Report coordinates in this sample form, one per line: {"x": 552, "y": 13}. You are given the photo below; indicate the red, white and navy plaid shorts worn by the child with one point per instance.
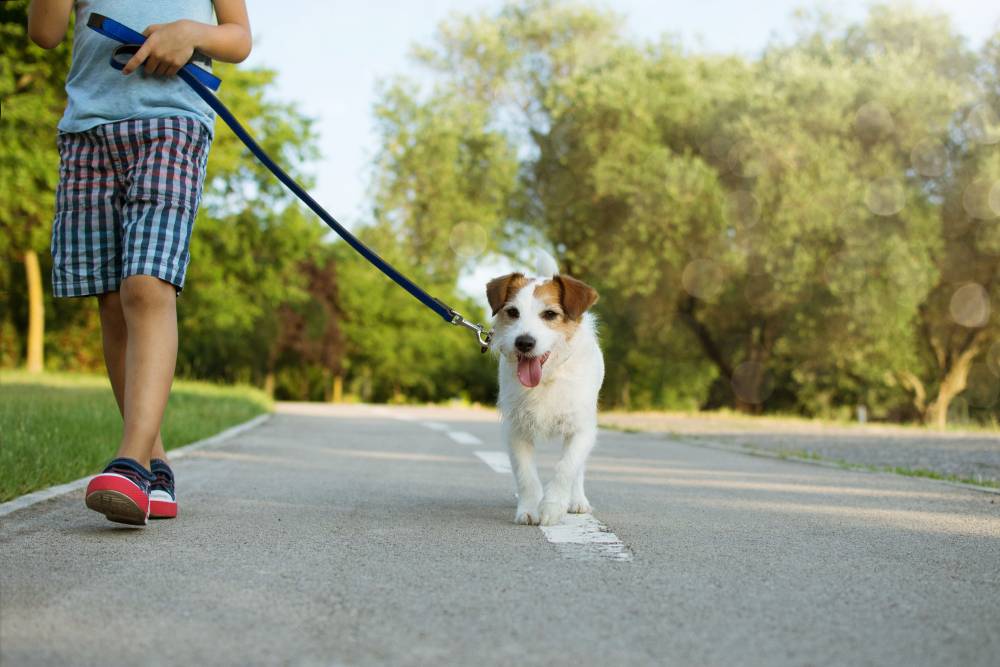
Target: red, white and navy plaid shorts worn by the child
{"x": 127, "y": 198}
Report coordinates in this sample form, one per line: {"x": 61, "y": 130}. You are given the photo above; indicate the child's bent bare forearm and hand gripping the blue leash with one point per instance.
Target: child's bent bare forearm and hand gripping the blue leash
{"x": 169, "y": 46}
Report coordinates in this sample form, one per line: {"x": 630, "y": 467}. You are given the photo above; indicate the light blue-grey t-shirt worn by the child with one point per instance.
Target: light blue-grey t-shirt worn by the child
{"x": 100, "y": 94}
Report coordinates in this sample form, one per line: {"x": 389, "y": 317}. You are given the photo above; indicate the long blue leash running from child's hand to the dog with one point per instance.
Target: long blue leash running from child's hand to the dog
{"x": 203, "y": 83}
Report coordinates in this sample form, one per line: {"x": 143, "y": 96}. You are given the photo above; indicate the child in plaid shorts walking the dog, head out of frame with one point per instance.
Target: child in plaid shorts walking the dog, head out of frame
{"x": 133, "y": 147}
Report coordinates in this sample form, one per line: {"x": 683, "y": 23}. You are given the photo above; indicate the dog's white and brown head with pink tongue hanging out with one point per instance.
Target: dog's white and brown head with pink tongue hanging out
{"x": 535, "y": 318}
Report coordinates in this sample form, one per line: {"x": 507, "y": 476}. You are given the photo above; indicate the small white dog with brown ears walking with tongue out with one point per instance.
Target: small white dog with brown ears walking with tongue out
{"x": 550, "y": 373}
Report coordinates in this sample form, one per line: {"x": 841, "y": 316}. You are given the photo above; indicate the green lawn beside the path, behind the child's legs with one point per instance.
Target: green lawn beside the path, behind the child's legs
{"x": 55, "y": 428}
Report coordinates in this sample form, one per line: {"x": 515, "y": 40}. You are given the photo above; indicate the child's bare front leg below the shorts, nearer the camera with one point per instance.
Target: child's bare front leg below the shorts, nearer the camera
{"x": 149, "y": 309}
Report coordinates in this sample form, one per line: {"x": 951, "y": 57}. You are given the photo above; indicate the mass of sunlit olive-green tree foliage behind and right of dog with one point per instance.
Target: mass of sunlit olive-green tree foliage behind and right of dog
{"x": 795, "y": 227}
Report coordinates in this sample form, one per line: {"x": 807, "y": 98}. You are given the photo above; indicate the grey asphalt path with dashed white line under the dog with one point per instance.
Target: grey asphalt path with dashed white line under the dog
{"x": 371, "y": 536}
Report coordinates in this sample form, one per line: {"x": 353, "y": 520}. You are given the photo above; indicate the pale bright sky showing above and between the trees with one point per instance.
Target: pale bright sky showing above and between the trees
{"x": 330, "y": 54}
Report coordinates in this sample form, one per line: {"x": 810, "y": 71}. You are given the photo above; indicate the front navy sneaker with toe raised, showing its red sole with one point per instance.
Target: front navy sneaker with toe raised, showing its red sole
{"x": 121, "y": 492}
